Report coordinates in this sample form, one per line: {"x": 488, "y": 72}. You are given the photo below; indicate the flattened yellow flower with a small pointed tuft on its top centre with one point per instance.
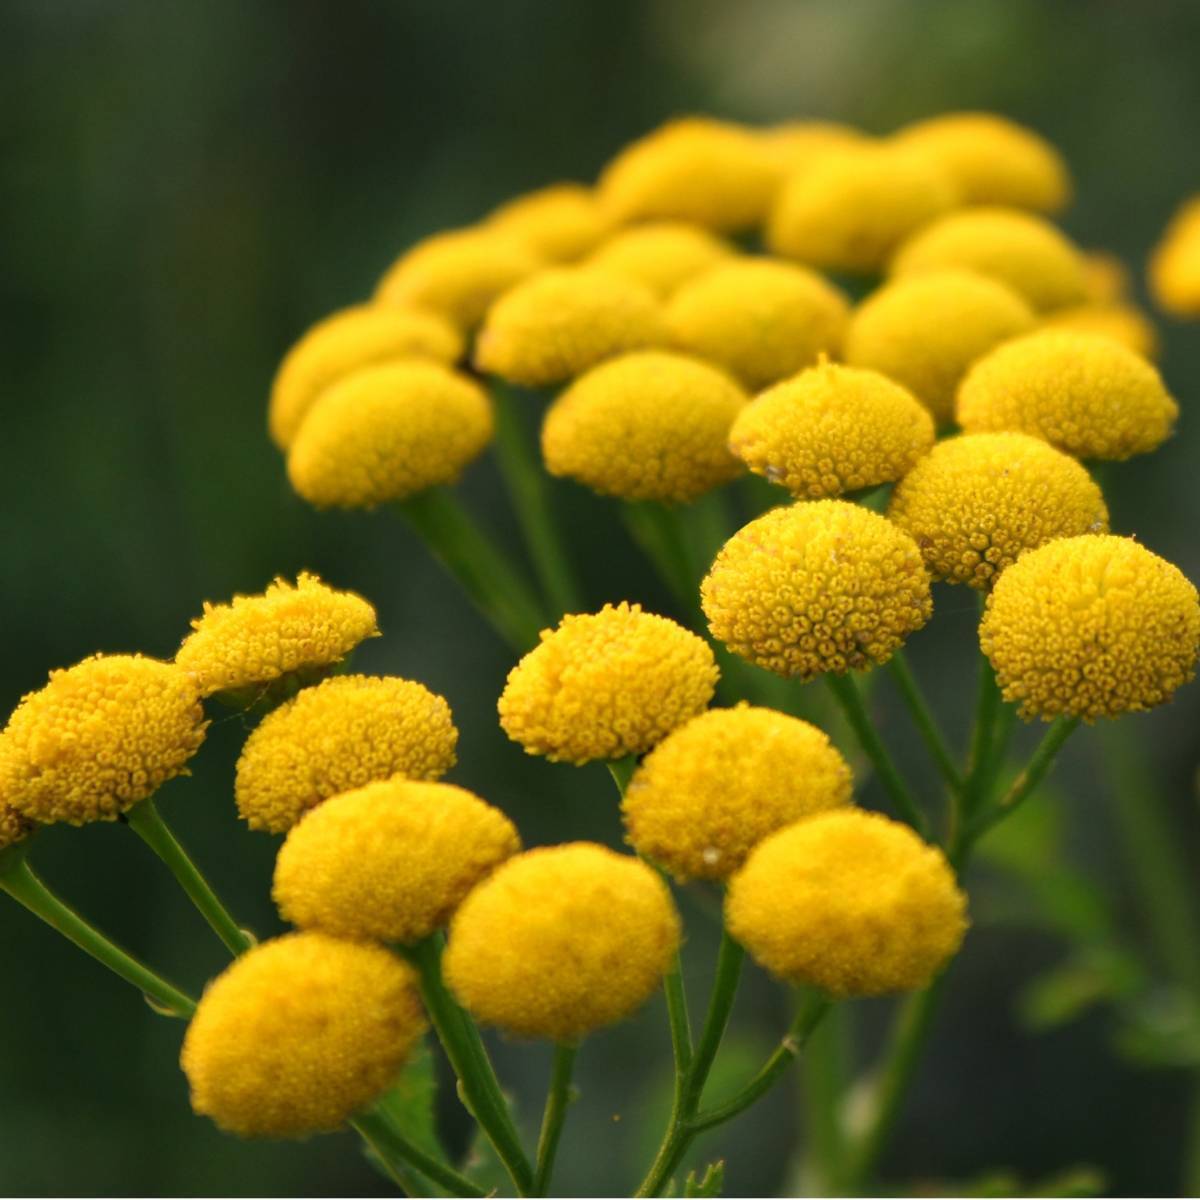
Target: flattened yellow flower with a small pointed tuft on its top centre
{"x": 832, "y": 430}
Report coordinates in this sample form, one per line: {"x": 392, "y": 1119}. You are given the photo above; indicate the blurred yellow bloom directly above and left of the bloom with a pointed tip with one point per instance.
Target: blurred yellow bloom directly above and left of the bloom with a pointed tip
{"x": 760, "y": 320}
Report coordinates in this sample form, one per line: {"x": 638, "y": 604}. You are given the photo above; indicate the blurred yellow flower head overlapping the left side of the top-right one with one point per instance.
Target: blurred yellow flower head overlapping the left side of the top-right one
{"x": 853, "y": 208}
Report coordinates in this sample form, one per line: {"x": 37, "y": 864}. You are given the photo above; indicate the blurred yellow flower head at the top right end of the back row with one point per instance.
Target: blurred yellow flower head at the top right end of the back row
{"x": 993, "y": 160}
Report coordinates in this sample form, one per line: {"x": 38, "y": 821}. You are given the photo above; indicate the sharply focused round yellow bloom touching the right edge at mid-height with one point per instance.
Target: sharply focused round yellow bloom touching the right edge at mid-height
{"x": 1091, "y": 627}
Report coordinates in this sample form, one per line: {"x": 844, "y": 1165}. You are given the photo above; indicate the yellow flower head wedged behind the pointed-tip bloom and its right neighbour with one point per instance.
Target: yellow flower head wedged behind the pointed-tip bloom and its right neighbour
{"x": 926, "y": 331}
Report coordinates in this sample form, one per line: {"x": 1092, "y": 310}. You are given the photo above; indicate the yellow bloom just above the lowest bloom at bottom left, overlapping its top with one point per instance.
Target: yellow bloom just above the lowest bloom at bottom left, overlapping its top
{"x": 389, "y": 862}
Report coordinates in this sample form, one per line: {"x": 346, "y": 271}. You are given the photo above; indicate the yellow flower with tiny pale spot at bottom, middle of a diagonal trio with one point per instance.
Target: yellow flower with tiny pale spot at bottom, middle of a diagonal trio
{"x": 712, "y": 790}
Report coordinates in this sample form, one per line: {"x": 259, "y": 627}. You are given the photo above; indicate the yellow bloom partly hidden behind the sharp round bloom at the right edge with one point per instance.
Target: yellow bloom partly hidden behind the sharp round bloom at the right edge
{"x": 980, "y": 501}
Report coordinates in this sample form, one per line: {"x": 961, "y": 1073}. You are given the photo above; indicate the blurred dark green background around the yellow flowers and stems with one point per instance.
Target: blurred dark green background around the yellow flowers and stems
{"x": 185, "y": 189}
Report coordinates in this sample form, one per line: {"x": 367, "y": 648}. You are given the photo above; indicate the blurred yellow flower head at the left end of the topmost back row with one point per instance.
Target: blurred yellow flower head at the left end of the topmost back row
{"x": 713, "y": 173}
